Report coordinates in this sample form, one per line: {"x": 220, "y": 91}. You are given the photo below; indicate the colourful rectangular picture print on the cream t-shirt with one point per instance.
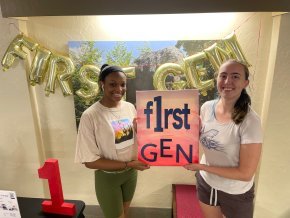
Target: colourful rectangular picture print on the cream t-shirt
{"x": 123, "y": 133}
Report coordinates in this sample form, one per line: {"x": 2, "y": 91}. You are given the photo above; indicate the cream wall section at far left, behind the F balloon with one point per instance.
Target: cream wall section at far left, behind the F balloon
{"x": 19, "y": 152}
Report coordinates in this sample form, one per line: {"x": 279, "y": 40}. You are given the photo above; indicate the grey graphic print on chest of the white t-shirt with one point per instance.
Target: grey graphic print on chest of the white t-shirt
{"x": 208, "y": 141}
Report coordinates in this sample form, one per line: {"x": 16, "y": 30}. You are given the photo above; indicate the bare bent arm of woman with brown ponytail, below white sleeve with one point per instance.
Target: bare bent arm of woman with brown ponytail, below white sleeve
{"x": 249, "y": 159}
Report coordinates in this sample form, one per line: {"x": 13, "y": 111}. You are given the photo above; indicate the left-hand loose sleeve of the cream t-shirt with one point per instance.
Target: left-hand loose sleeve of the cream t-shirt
{"x": 86, "y": 147}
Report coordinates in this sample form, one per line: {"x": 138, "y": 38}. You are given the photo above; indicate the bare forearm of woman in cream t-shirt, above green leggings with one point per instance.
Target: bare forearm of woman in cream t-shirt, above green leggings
{"x": 114, "y": 165}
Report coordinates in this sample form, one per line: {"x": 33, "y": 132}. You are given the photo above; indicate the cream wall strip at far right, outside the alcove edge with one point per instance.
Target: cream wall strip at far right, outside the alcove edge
{"x": 274, "y": 186}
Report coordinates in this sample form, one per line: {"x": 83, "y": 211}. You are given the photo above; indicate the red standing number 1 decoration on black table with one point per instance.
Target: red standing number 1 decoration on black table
{"x": 50, "y": 171}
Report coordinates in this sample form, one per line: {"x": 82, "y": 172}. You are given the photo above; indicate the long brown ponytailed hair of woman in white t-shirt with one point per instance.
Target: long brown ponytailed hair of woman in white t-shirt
{"x": 242, "y": 105}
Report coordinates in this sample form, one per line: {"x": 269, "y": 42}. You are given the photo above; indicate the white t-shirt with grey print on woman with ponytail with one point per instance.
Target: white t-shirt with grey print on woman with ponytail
{"x": 221, "y": 144}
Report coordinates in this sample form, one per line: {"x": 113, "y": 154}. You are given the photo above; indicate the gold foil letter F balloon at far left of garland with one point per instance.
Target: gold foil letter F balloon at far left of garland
{"x": 15, "y": 50}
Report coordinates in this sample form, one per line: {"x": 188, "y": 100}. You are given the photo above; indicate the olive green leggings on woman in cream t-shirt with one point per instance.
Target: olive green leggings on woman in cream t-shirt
{"x": 113, "y": 189}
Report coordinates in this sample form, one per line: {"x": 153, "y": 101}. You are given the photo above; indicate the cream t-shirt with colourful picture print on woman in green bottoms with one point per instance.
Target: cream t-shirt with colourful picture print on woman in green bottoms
{"x": 106, "y": 133}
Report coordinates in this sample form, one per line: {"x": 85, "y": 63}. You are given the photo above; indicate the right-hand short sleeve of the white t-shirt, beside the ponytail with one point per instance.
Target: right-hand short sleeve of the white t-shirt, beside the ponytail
{"x": 251, "y": 129}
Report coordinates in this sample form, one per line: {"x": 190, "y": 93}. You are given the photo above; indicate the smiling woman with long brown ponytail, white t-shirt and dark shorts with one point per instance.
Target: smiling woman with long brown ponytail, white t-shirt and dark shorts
{"x": 231, "y": 137}
